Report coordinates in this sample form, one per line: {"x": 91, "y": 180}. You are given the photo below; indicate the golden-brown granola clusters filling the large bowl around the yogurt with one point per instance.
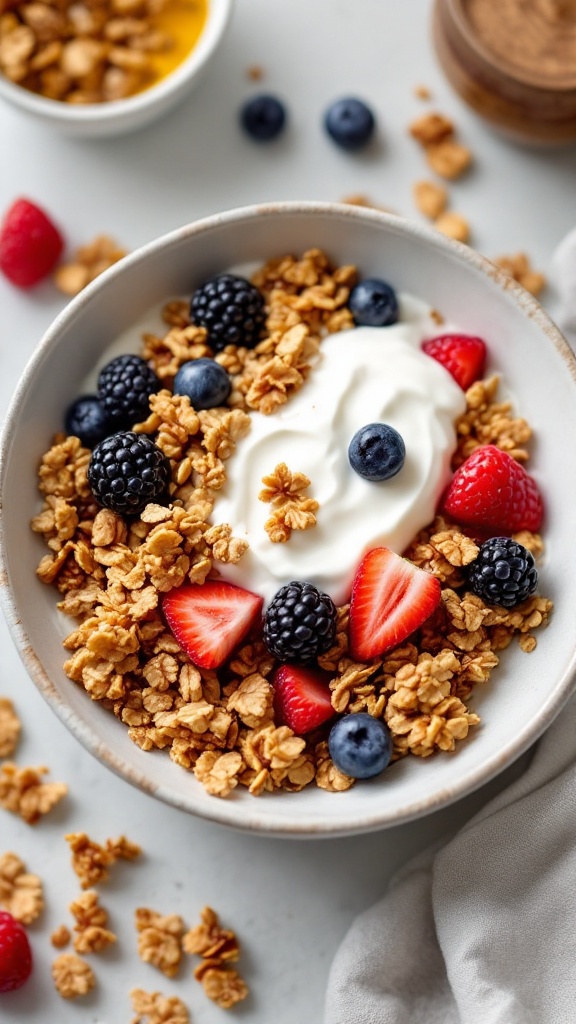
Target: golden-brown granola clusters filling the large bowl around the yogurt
{"x": 111, "y": 573}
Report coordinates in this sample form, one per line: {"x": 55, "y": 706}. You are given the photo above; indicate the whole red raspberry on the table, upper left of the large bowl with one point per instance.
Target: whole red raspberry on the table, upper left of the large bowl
{"x": 30, "y": 244}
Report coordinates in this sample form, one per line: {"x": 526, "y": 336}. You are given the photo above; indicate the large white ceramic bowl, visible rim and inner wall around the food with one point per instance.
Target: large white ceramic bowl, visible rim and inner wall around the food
{"x": 527, "y": 691}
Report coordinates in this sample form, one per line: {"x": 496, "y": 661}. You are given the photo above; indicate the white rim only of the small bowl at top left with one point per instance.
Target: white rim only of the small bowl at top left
{"x": 218, "y": 19}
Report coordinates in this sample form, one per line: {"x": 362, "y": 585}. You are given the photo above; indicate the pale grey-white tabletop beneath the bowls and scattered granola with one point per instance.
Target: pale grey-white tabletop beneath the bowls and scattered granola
{"x": 290, "y": 902}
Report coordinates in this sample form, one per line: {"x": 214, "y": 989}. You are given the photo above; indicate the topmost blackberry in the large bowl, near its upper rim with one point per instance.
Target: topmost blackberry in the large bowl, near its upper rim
{"x": 231, "y": 310}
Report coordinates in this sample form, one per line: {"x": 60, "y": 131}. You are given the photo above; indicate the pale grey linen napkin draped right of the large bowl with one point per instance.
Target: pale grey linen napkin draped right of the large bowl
{"x": 482, "y": 928}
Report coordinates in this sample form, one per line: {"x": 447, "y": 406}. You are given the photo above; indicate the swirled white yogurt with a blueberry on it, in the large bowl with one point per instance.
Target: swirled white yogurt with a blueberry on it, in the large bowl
{"x": 362, "y": 376}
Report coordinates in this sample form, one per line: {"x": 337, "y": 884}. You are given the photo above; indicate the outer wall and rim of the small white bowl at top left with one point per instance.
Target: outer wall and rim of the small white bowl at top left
{"x": 92, "y": 120}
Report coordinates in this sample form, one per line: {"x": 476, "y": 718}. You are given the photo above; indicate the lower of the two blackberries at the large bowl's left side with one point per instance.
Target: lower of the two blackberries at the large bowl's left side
{"x": 127, "y": 472}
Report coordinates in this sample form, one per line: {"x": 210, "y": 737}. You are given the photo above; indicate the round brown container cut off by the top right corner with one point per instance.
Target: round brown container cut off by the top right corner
{"x": 514, "y": 62}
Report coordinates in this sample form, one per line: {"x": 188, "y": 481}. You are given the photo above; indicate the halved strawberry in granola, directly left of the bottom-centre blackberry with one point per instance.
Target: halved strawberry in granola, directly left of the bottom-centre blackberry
{"x": 211, "y": 620}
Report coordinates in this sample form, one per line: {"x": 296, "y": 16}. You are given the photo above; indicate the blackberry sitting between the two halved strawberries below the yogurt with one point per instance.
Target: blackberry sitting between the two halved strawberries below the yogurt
{"x": 301, "y": 623}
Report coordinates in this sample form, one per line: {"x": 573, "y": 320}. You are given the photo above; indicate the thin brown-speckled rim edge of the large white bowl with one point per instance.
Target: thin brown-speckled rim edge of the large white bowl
{"x": 222, "y": 812}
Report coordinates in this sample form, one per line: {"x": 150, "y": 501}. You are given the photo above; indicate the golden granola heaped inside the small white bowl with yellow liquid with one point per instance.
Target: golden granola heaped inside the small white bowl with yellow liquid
{"x": 85, "y": 53}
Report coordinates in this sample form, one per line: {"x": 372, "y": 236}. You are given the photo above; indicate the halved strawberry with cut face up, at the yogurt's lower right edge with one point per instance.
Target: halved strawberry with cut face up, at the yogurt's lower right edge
{"x": 391, "y": 599}
